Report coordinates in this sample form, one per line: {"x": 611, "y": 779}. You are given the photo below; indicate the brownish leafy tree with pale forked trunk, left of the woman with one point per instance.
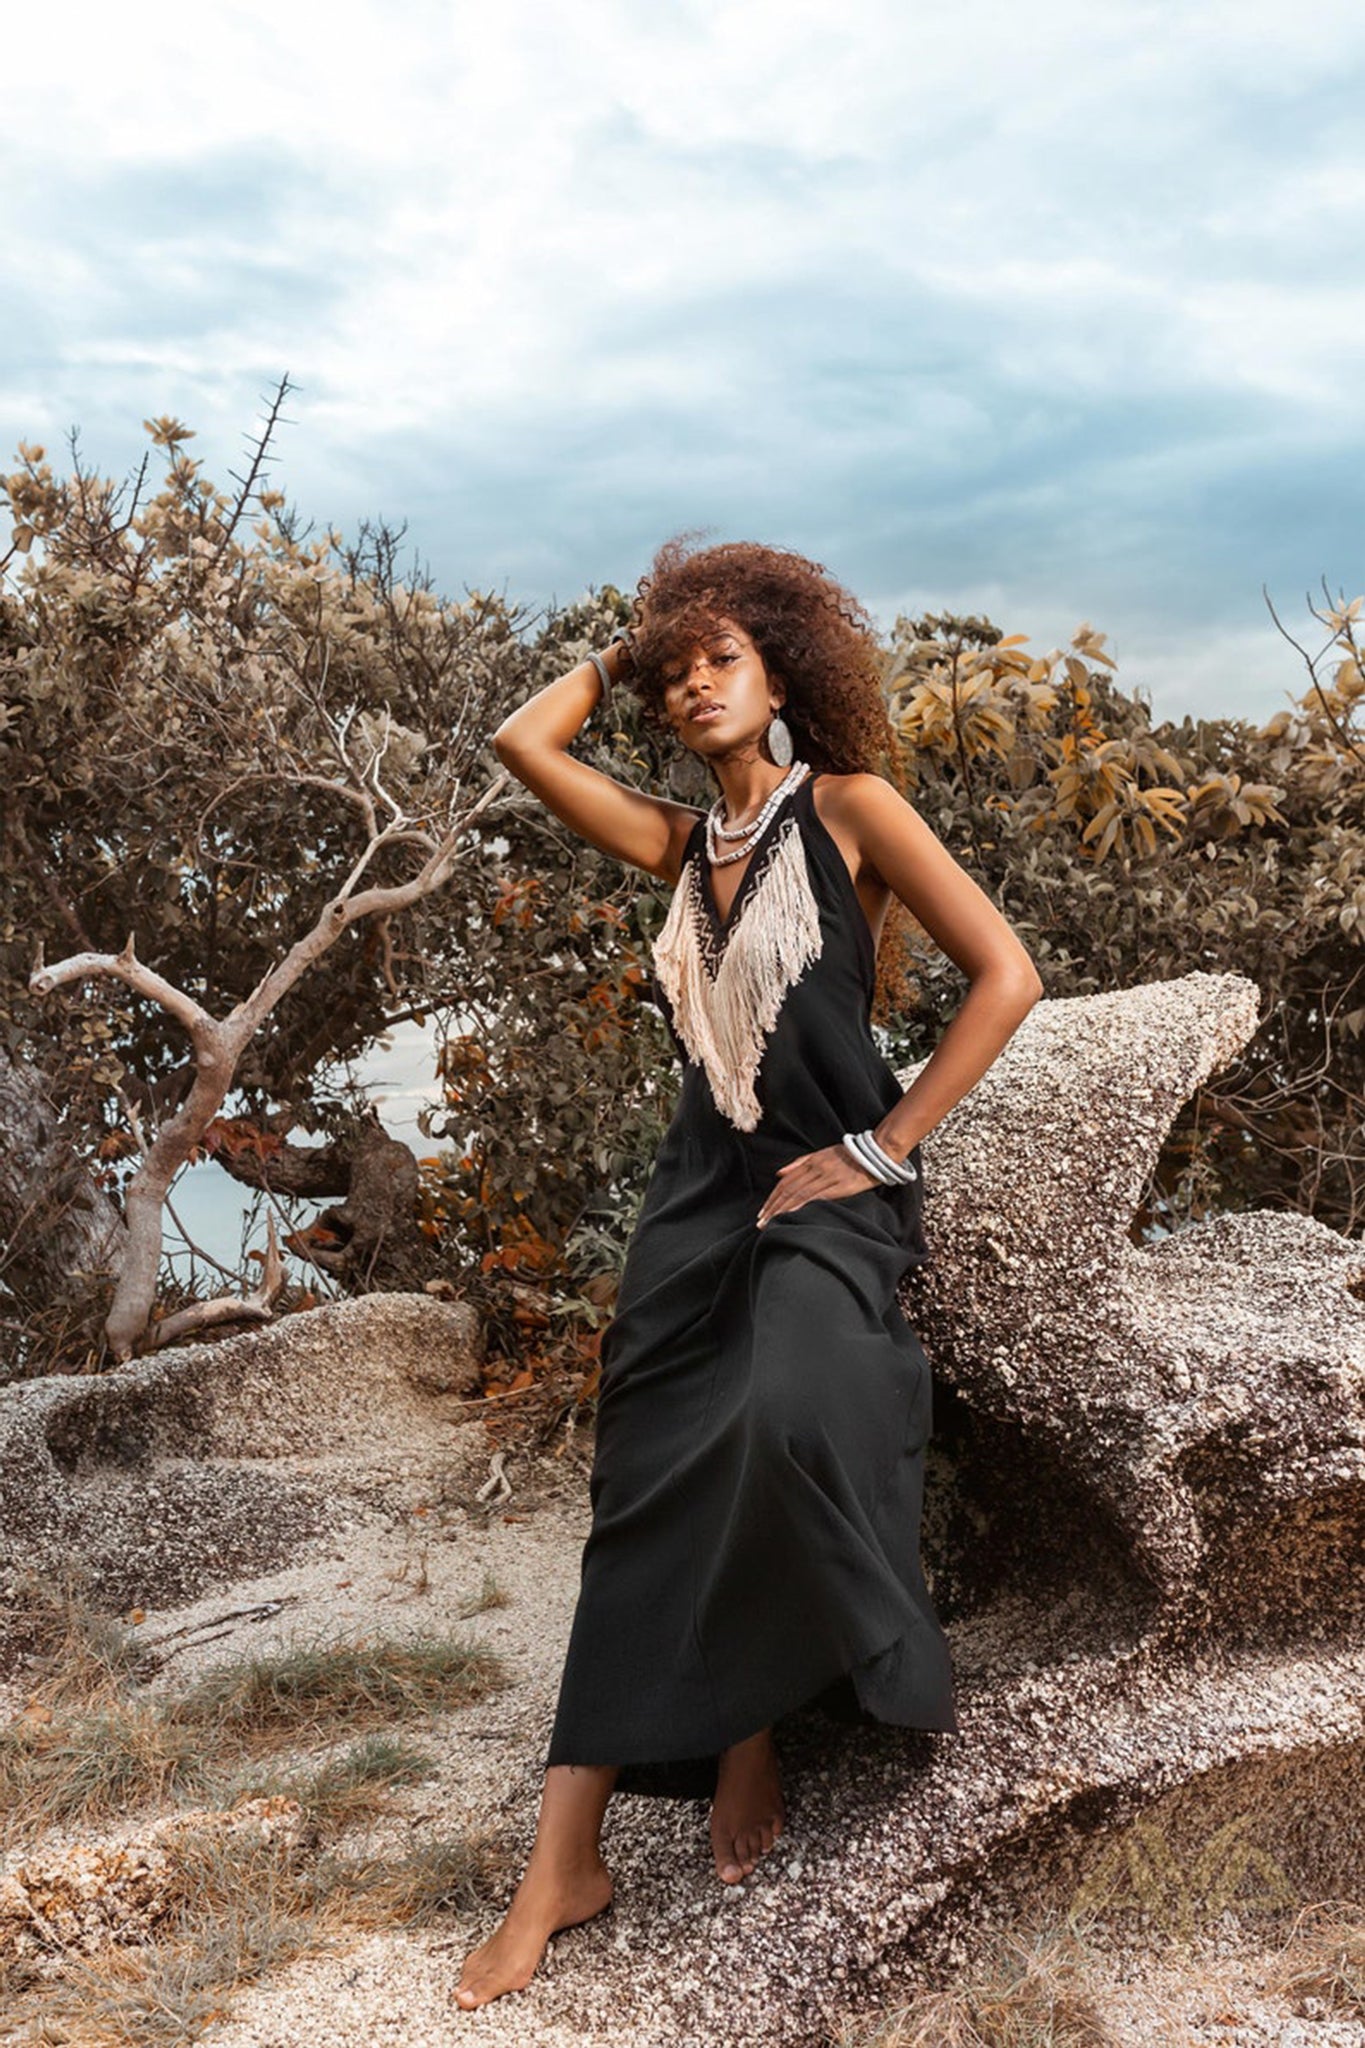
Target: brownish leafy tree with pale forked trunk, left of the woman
{"x": 230, "y": 753}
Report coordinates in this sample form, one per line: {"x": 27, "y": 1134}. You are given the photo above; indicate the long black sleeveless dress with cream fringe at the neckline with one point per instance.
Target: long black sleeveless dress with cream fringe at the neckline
{"x": 764, "y": 1404}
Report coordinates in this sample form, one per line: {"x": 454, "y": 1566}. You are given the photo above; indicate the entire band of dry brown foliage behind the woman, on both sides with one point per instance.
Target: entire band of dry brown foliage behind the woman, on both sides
{"x": 214, "y": 724}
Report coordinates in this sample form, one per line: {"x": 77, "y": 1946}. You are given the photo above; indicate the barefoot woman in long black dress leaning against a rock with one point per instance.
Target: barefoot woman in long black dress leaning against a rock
{"x": 764, "y": 1404}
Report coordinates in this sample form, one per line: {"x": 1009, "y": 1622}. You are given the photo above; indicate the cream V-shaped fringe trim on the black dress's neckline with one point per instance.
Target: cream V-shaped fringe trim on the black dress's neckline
{"x": 728, "y": 1019}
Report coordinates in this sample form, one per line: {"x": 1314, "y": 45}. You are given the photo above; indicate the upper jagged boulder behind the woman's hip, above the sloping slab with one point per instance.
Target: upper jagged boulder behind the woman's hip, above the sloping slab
{"x": 1182, "y": 1418}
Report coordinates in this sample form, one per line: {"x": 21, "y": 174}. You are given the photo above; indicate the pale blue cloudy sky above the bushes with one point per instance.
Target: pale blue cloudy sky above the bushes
{"x": 1051, "y": 312}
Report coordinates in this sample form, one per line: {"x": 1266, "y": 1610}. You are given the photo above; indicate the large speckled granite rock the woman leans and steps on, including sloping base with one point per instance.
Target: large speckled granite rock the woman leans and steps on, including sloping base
{"x": 1147, "y": 1525}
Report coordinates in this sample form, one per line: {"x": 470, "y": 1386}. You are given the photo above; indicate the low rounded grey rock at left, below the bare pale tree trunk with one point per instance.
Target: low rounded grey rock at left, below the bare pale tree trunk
{"x": 195, "y": 1467}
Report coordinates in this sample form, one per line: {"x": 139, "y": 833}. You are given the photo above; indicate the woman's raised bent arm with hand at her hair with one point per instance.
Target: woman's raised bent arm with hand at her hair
{"x": 533, "y": 742}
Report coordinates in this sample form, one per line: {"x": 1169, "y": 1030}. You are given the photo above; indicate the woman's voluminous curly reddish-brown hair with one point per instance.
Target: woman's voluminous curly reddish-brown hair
{"x": 809, "y": 630}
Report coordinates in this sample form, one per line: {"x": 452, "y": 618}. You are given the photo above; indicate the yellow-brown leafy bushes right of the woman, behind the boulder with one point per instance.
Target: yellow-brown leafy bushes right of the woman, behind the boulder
{"x": 1131, "y": 853}
